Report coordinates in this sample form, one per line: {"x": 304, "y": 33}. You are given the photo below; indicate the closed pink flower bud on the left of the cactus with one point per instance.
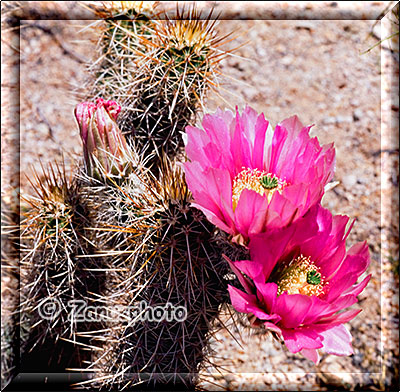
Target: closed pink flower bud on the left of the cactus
{"x": 103, "y": 143}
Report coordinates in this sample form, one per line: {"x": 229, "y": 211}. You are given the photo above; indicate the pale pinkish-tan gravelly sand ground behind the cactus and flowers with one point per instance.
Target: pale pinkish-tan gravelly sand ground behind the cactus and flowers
{"x": 312, "y": 68}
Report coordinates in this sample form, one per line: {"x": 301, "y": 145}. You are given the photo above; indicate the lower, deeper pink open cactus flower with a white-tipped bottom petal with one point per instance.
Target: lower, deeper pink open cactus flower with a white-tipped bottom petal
{"x": 299, "y": 281}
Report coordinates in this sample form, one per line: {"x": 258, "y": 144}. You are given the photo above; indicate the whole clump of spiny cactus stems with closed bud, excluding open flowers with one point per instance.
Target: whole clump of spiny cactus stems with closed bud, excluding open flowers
{"x": 122, "y": 230}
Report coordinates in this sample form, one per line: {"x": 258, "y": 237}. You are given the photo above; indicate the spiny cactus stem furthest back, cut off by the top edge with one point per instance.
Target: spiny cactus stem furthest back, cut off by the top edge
{"x": 123, "y": 26}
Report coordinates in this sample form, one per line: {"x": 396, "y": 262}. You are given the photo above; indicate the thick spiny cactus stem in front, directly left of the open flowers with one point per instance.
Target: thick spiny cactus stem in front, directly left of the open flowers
{"x": 166, "y": 252}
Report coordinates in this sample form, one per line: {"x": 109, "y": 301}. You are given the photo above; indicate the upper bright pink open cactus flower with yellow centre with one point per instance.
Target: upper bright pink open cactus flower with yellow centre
{"x": 248, "y": 178}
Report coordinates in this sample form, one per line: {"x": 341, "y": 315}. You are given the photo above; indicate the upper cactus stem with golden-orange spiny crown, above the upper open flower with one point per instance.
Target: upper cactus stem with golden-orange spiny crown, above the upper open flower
{"x": 176, "y": 75}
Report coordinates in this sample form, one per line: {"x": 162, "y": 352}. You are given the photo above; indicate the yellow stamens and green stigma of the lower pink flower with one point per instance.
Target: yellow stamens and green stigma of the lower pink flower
{"x": 301, "y": 276}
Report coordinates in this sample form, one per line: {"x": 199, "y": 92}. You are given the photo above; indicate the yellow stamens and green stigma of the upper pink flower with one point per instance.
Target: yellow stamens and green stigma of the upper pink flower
{"x": 256, "y": 180}
